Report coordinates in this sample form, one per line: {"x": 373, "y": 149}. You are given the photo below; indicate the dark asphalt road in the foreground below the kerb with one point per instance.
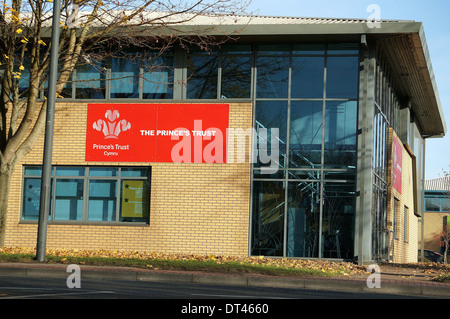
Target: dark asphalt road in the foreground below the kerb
{"x": 12, "y": 287}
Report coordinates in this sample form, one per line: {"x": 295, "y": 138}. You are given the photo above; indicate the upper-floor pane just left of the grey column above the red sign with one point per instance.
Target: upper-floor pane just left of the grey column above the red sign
{"x": 158, "y": 78}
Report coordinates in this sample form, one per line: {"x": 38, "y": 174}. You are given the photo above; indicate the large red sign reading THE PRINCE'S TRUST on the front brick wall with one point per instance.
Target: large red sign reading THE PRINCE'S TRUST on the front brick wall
{"x": 178, "y": 133}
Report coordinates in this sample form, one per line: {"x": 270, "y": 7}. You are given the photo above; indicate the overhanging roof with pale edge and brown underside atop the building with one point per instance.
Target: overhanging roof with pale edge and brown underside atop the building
{"x": 401, "y": 42}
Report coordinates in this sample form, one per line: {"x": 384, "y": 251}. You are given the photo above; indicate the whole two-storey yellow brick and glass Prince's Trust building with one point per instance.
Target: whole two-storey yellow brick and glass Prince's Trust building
{"x": 337, "y": 112}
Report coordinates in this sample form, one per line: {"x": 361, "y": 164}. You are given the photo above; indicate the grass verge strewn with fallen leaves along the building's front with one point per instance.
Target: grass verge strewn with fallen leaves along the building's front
{"x": 234, "y": 265}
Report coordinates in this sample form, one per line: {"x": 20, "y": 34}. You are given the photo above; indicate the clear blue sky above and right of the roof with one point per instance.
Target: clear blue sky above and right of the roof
{"x": 433, "y": 14}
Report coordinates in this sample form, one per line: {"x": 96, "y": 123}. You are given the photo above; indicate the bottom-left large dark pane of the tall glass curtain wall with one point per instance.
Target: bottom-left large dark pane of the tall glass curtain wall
{"x": 268, "y": 218}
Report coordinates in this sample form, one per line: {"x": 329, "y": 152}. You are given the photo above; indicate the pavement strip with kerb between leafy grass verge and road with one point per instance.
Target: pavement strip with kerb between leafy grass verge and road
{"x": 391, "y": 280}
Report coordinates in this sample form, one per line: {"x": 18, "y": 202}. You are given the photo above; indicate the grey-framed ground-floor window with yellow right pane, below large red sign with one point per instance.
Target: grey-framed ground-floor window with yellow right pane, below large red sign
{"x": 90, "y": 194}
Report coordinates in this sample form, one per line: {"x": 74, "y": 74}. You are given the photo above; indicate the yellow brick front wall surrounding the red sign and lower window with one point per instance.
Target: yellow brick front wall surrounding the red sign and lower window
{"x": 195, "y": 208}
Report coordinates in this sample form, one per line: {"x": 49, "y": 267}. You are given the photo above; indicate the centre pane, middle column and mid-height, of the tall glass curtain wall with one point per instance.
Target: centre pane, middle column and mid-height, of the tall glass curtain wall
{"x": 305, "y": 135}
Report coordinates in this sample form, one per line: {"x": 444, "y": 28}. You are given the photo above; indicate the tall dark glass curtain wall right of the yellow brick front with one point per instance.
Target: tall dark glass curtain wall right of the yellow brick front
{"x": 309, "y": 94}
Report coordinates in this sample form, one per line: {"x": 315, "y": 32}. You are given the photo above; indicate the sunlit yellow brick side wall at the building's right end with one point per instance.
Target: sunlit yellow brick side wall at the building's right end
{"x": 403, "y": 252}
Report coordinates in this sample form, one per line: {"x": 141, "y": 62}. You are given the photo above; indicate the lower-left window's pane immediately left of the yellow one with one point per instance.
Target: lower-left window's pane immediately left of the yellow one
{"x": 102, "y": 200}
